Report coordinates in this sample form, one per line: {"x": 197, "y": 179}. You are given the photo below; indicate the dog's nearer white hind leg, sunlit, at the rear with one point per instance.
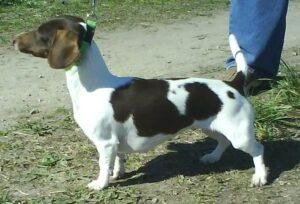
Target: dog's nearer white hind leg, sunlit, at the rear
{"x": 242, "y": 137}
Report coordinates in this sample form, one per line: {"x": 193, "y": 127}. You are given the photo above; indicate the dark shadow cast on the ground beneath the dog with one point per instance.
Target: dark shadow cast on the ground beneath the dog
{"x": 183, "y": 159}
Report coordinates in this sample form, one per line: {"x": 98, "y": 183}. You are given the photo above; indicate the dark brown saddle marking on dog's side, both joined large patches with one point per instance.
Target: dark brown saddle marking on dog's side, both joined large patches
{"x": 153, "y": 113}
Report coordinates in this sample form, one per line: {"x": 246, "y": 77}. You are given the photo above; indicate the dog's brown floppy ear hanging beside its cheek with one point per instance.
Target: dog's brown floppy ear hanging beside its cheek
{"x": 64, "y": 50}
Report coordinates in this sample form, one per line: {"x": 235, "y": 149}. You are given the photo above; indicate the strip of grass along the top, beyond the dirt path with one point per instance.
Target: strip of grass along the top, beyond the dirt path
{"x": 20, "y": 15}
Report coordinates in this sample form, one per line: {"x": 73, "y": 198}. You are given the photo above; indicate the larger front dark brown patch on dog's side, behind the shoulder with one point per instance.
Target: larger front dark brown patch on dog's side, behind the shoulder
{"x": 146, "y": 101}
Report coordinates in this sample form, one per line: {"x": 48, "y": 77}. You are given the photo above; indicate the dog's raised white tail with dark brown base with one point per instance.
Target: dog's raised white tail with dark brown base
{"x": 242, "y": 68}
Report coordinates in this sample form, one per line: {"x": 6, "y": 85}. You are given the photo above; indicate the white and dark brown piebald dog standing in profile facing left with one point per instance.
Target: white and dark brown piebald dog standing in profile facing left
{"x": 121, "y": 115}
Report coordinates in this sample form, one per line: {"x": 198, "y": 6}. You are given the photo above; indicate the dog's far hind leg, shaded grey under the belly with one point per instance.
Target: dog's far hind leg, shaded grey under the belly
{"x": 216, "y": 154}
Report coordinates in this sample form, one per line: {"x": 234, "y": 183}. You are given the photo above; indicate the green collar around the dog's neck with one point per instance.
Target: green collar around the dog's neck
{"x": 87, "y": 40}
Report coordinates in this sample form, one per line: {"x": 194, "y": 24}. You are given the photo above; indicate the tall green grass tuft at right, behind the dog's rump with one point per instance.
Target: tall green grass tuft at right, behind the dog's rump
{"x": 279, "y": 110}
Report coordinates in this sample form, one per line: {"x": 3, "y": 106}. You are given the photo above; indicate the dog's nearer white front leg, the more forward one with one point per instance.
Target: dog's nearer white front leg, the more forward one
{"x": 107, "y": 155}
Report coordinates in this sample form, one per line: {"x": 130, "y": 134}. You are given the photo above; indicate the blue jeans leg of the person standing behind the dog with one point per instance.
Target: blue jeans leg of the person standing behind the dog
{"x": 259, "y": 26}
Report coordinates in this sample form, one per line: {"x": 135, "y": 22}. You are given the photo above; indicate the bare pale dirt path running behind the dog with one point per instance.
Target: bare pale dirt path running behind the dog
{"x": 197, "y": 47}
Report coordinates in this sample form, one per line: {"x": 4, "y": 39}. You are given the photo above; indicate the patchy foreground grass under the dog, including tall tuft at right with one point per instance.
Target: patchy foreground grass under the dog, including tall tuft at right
{"x": 44, "y": 158}
